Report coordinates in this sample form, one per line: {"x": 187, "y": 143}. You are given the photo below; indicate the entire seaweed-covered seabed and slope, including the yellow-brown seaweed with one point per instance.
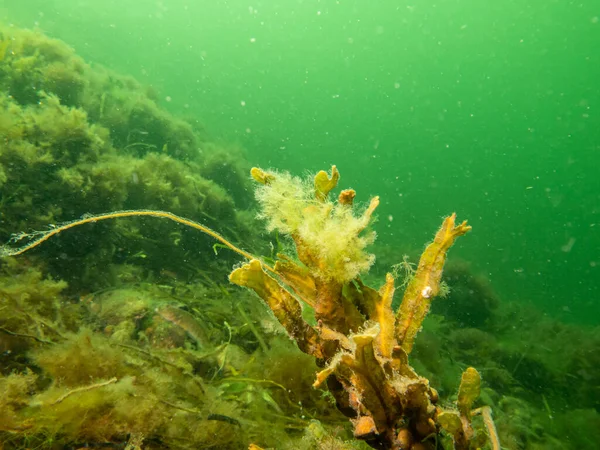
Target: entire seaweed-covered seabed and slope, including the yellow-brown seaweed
{"x": 126, "y": 334}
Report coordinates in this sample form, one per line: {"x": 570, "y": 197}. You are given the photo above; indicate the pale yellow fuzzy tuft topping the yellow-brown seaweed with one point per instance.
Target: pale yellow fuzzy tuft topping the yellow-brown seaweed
{"x": 331, "y": 234}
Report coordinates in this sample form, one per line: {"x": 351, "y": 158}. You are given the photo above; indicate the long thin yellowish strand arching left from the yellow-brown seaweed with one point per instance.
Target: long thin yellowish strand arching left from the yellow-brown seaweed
{"x": 45, "y": 235}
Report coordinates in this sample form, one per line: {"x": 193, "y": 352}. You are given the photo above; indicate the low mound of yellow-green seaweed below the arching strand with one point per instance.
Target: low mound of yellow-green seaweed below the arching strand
{"x": 148, "y": 366}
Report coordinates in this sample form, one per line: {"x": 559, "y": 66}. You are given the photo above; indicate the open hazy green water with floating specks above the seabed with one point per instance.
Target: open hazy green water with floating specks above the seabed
{"x": 489, "y": 109}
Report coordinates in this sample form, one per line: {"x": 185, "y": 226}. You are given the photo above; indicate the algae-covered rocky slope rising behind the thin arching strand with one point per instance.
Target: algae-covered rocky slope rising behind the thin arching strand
{"x": 78, "y": 139}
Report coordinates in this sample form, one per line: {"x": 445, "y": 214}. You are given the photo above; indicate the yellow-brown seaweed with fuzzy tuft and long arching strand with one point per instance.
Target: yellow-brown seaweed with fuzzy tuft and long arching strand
{"x": 361, "y": 345}
